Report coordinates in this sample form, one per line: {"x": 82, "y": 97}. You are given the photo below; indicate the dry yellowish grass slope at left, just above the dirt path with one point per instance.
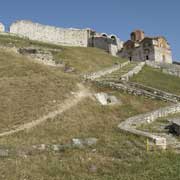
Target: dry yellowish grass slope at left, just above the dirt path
{"x": 27, "y": 89}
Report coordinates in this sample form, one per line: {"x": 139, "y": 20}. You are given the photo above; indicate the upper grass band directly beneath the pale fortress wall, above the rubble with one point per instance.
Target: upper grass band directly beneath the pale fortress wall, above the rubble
{"x": 82, "y": 59}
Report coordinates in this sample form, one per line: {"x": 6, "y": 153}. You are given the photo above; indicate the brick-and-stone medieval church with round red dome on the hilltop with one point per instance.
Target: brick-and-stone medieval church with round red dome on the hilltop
{"x": 144, "y": 48}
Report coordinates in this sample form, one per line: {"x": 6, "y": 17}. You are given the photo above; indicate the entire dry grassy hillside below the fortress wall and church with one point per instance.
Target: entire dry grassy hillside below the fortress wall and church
{"x": 30, "y": 91}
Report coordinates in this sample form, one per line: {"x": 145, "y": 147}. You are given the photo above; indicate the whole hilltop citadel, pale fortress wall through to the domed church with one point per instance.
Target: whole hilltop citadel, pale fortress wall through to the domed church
{"x": 139, "y": 48}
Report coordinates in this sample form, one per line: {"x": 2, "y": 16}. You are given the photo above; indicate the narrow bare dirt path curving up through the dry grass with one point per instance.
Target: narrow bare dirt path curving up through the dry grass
{"x": 67, "y": 104}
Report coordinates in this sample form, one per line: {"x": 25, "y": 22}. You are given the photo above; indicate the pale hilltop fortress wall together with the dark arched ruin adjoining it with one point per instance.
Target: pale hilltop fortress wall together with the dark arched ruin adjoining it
{"x": 67, "y": 36}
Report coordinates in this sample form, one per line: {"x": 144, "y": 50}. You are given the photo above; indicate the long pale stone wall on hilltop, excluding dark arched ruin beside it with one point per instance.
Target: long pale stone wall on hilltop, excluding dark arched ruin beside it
{"x": 50, "y": 34}
